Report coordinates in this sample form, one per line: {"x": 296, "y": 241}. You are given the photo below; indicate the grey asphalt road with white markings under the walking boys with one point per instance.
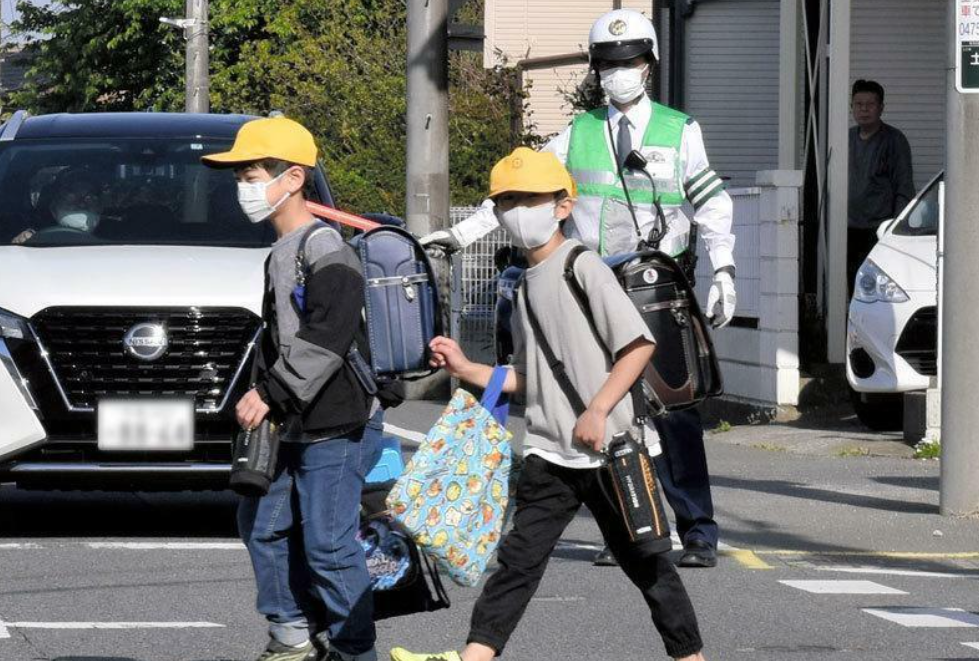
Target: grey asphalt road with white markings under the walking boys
{"x": 79, "y": 571}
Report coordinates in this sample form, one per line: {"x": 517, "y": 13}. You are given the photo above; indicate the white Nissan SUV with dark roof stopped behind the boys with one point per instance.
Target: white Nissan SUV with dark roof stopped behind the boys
{"x": 130, "y": 300}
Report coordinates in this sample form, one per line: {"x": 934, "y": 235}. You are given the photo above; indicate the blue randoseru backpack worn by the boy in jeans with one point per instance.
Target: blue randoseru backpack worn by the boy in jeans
{"x": 401, "y": 309}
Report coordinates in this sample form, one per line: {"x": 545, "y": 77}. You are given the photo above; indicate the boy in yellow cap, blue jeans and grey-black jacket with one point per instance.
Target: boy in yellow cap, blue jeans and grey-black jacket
{"x": 301, "y": 534}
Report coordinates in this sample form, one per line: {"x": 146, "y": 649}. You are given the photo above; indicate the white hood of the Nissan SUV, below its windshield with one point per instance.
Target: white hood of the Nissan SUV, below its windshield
{"x": 32, "y": 279}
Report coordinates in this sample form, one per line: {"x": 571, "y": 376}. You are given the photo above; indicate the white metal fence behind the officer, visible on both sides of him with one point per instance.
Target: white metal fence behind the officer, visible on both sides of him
{"x": 474, "y": 276}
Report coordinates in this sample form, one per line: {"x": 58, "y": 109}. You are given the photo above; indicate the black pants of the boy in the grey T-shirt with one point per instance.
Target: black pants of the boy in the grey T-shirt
{"x": 548, "y": 497}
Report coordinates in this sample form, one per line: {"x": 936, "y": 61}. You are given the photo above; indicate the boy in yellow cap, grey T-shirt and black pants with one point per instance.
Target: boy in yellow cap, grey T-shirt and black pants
{"x": 533, "y": 194}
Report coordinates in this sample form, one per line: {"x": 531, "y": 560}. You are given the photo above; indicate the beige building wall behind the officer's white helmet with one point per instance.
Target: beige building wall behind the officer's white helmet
{"x": 522, "y": 29}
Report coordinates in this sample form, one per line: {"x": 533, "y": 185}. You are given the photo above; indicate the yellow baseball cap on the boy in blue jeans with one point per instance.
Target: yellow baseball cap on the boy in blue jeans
{"x": 272, "y": 137}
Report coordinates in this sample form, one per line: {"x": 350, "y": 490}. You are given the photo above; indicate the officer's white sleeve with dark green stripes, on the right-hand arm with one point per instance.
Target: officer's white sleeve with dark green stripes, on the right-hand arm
{"x": 713, "y": 208}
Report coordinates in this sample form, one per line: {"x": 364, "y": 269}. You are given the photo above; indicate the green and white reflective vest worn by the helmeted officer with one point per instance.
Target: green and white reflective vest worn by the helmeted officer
{"x": 592, "y": 167}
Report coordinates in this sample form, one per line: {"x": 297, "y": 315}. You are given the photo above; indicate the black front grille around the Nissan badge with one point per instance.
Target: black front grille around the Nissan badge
{"x": 207, "y": 347}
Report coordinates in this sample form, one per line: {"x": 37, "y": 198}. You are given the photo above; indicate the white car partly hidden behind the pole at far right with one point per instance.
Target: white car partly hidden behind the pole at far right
{"x": 892, "y": 329}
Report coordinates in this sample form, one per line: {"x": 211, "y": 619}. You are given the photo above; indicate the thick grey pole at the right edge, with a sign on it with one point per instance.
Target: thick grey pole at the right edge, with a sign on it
{"x": 960, "y": 350}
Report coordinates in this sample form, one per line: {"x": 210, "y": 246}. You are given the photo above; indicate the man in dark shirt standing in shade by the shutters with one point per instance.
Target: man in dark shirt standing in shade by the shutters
{"x": 881, "y": 181}
